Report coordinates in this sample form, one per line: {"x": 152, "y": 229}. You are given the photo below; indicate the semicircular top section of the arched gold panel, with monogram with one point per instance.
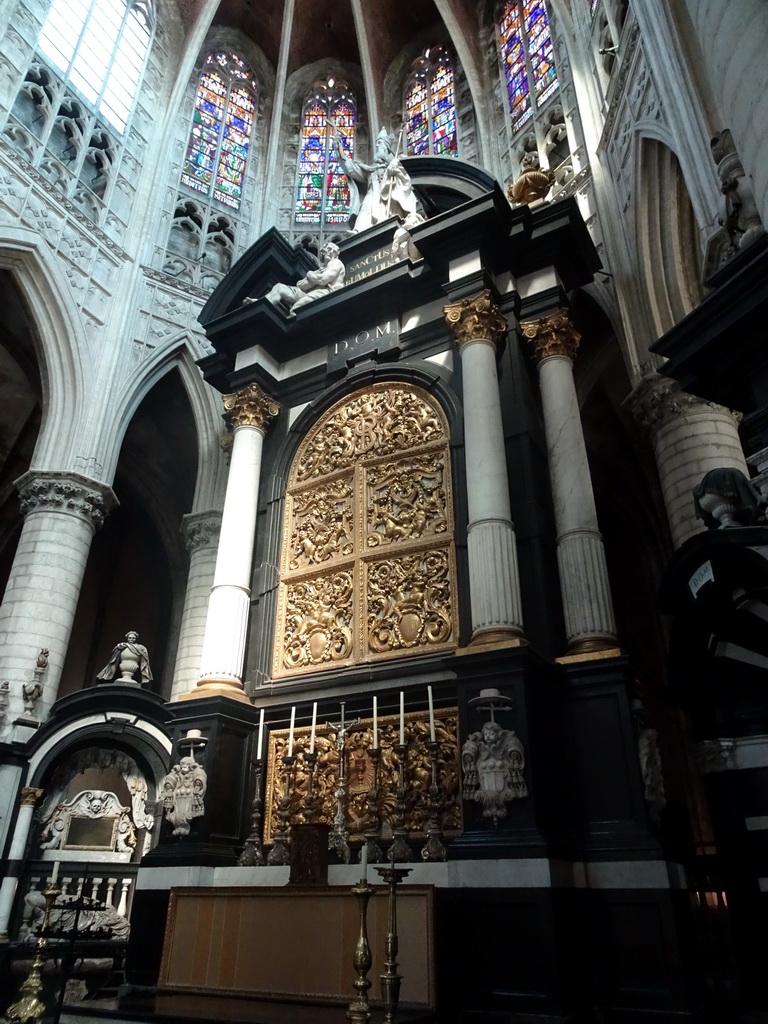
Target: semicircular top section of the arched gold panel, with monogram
{"x": 379, "y": 421}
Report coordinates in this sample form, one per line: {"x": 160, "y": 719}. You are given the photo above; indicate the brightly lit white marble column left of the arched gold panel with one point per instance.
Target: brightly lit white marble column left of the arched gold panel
{"x": 227, "y": 623}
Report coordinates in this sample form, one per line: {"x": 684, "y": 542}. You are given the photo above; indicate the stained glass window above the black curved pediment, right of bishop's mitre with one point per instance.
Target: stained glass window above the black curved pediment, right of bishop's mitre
{"x": 431, "y": 107}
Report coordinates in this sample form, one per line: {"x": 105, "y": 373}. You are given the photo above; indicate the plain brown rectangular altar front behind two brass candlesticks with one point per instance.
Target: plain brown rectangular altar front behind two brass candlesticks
{"x": 293, "y": 946}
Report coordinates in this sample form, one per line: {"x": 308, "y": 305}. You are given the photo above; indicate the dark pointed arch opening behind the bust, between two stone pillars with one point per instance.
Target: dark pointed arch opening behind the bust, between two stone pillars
{"x": 136, "y": 576}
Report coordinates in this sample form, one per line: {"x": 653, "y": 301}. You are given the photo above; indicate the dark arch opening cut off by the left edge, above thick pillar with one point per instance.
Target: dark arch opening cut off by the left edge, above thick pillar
{"x": 21, "y": 412}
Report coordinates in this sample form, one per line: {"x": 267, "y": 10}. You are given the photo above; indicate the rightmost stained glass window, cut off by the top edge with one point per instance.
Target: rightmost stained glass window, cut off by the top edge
{"x": 530, "y": 71}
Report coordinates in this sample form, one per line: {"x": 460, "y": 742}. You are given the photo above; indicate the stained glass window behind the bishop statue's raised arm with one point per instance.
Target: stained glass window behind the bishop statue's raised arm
{"x": 323, "y": 194}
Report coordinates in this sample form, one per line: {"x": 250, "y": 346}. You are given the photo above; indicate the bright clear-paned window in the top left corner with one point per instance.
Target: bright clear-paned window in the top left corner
{"x": 100, "y": 47}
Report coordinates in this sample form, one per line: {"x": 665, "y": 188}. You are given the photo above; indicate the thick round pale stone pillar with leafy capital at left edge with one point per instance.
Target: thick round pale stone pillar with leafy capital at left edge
{"x": 63, "y": 511}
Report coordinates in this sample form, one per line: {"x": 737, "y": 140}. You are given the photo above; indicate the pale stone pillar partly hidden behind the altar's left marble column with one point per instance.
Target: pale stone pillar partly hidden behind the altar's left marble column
{"x": 201, "y": 533}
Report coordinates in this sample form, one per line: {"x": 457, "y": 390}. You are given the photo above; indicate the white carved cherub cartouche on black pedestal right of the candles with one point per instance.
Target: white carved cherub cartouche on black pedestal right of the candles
{"x": 494, "y": 762}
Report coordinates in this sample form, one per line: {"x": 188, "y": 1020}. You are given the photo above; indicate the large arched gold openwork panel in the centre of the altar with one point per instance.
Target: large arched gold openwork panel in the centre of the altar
{"x": 368, "y": 567}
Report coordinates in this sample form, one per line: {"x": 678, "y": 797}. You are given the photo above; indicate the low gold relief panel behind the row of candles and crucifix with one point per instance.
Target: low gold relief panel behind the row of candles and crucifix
{"x": 360, "y": 775}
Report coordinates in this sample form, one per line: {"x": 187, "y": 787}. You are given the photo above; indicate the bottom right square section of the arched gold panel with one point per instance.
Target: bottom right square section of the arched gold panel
{"x": 410, "y": 602}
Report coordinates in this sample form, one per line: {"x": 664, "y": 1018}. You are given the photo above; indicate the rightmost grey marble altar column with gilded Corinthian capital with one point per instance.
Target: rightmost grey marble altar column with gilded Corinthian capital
{"x": 588, "y": 609}
